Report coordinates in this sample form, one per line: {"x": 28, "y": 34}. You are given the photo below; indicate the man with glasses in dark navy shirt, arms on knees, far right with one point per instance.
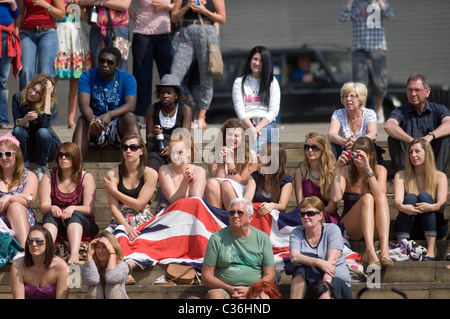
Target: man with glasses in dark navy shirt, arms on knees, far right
{"x": 419, "y": 119}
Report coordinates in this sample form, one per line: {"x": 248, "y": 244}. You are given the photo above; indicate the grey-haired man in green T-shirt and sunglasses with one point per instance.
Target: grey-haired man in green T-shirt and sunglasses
{"x": 238, "y": 255}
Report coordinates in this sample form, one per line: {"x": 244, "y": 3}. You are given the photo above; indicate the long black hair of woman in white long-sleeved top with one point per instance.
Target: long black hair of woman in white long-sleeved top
{"x": 266, "y": 75}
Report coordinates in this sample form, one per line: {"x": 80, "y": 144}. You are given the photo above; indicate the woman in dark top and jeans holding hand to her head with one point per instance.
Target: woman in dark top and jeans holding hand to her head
{"x": 32, "y": 112}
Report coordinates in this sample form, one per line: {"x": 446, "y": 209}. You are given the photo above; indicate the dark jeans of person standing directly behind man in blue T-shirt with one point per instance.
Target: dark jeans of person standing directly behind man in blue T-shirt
{"x": 95, "y": 43}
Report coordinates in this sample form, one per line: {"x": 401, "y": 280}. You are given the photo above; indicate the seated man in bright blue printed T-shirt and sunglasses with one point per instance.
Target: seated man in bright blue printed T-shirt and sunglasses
{"x": 107, "y": 99}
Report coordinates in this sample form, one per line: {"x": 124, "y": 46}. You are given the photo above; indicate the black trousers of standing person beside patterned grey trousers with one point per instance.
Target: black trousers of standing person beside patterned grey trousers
{"x": 147, "y": 48}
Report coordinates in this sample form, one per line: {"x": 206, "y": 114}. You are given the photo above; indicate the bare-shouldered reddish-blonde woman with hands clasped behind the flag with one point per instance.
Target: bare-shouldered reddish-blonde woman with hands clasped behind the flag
{"x": 181, "y": 178}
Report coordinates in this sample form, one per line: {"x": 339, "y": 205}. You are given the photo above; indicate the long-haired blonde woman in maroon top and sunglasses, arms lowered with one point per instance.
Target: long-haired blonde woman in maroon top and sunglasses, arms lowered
{"x": 315, "y": 175}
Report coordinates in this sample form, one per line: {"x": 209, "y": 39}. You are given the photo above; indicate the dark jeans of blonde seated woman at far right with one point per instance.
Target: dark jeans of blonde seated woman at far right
{"x": 405, "y": 222}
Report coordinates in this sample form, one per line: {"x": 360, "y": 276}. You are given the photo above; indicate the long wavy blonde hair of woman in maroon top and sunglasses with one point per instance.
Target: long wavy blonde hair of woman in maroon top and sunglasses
{"x": 327, "y": 163}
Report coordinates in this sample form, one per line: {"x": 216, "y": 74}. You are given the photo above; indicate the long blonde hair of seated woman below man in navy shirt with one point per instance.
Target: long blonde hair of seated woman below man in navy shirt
{"x": 430, "y": 169}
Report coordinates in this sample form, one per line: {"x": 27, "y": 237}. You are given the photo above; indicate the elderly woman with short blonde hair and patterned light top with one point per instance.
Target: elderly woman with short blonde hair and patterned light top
{"x": 352, "y": 121}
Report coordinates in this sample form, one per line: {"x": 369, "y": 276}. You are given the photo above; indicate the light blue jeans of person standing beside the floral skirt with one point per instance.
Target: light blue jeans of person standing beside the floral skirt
{"x": 40, "y": 47}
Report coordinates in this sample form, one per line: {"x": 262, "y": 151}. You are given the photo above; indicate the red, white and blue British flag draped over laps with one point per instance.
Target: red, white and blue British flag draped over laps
{"x": 180, "y": 233}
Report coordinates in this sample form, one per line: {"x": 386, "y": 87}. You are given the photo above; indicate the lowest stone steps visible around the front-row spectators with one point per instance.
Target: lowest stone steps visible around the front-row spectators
{"x": 418, "y": 280}
